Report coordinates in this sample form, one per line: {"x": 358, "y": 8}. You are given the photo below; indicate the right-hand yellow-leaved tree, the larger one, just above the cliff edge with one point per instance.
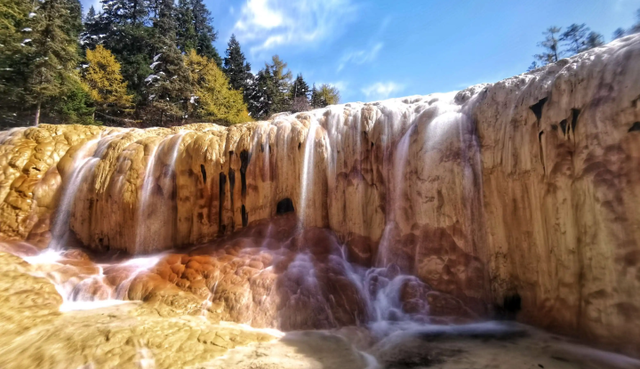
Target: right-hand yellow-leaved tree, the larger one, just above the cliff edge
{"x": 213, "y": 99}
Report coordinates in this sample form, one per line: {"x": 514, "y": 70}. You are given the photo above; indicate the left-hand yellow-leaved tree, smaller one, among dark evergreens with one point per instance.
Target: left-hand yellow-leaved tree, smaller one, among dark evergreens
{"x": 106, "y": 85}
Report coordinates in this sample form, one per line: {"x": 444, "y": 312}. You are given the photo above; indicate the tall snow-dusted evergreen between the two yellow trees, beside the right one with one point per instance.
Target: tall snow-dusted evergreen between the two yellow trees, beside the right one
{"x": 169, "y": 86}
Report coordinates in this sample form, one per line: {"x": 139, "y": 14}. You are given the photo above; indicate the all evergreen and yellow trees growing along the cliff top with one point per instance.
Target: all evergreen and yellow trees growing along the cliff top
{"x": 142, "y": 63}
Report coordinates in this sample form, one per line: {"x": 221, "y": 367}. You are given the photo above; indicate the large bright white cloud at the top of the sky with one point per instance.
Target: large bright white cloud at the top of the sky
{"x": 265, "y": 24}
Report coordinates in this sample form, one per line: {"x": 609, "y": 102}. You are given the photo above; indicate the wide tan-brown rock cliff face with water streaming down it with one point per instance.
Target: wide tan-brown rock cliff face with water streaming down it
{"x": 523, "y": 193}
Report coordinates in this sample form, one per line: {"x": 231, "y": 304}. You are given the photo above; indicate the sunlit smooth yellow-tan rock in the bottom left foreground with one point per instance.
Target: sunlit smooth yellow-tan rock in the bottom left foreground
{"x": 36, "y": 335}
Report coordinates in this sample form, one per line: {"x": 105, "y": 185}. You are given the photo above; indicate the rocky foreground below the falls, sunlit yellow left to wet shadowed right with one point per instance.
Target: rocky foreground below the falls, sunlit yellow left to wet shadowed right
{"x": 171, "y": 332}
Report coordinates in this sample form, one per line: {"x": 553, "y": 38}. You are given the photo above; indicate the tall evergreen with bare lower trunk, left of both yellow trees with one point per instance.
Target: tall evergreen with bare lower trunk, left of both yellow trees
{"x": 55, "y": 54}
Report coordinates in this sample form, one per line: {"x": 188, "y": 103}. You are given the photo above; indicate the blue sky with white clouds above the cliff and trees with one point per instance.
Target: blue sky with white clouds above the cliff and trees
{"x": 378, "y": 49}
